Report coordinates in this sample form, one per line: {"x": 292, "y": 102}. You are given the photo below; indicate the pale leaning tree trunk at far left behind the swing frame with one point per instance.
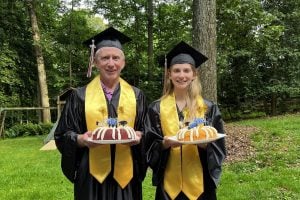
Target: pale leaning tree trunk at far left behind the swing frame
{"x": 40, "y": 62}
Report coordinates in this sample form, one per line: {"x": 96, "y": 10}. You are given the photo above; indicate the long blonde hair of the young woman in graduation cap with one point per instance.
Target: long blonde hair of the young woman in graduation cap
{"x": 194, "y": 91}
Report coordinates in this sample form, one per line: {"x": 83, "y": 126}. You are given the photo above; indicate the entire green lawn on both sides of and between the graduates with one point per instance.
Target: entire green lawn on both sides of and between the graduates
{"x": 272, "y": 173}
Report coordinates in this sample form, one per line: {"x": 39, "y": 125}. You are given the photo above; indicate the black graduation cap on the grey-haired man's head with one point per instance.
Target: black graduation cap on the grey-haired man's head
{"x": 110, "y": 37}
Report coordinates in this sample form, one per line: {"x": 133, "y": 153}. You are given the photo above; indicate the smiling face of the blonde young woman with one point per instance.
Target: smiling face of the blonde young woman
{"x": 181, "y": 75}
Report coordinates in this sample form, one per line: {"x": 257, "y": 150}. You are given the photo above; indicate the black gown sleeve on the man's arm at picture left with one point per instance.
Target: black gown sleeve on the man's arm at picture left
{"x": 71, "y": 123}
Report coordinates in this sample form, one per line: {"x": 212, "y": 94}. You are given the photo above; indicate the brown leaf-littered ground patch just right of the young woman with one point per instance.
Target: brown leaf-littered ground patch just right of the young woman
{"x": 238, "y": 143}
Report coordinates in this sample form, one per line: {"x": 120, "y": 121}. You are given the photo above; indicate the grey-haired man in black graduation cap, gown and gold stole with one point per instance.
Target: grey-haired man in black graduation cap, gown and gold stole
{"x": 103, "y": 171}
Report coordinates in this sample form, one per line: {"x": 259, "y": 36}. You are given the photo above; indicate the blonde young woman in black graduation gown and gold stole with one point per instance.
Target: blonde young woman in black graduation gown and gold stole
{"x": 183, "y": 171}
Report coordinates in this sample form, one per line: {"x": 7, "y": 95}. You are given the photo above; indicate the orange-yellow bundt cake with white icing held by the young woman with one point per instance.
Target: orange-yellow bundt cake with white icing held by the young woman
{"x": 195, "y": 131}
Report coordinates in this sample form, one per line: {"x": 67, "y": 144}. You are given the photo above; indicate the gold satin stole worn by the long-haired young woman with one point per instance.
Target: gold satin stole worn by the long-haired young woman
{"x": 184, "y": 170}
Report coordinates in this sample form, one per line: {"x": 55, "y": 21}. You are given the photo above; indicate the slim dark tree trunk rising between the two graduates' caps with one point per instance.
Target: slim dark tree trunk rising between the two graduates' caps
{"x": 150, "y": 38}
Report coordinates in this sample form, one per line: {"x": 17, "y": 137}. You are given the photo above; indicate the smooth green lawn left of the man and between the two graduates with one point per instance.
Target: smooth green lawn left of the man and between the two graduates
{"x": 31, "y": 174}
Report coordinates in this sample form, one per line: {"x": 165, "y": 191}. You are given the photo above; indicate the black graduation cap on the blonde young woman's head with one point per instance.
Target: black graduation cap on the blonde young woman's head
{"x": 183, "y": 53}
